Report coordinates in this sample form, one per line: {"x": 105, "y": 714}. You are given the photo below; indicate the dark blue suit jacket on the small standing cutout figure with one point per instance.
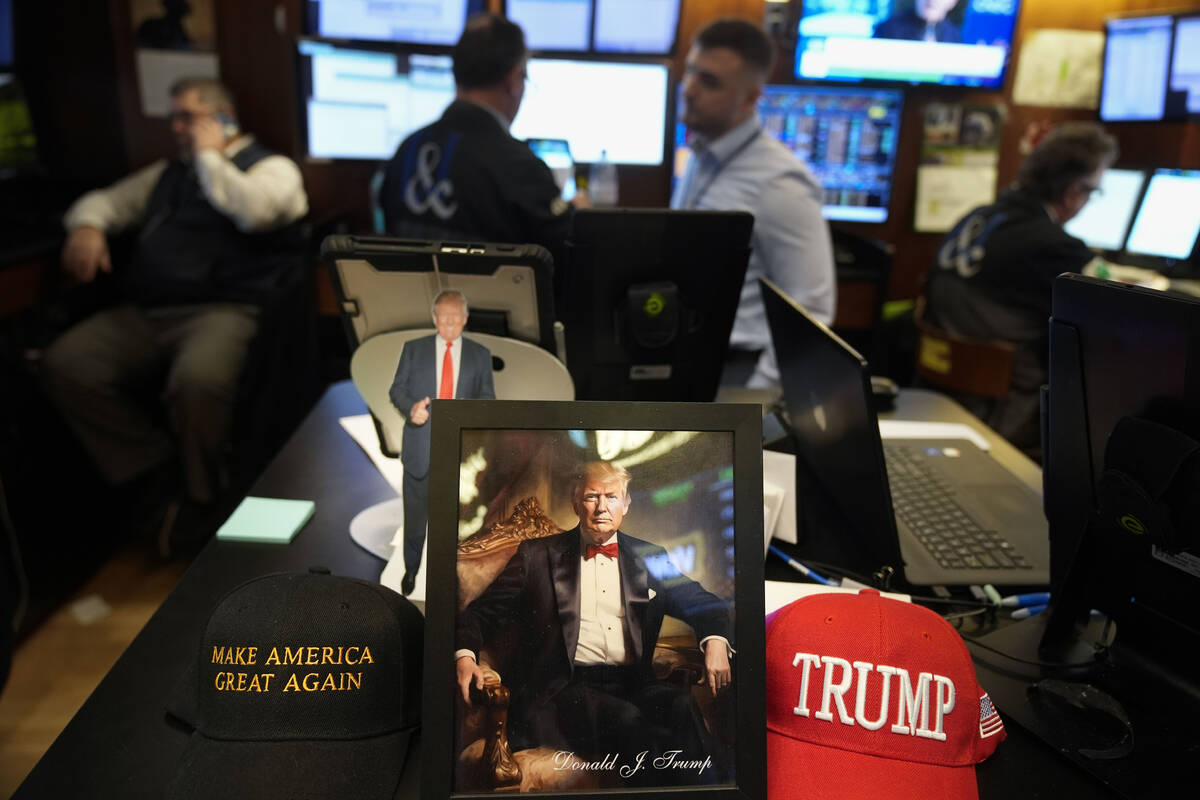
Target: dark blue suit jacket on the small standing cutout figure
{"x": 417, "y": 376}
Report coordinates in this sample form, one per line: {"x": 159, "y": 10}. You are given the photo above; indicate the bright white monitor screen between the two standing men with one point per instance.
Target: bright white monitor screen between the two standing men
{"x": 597, "y": 106}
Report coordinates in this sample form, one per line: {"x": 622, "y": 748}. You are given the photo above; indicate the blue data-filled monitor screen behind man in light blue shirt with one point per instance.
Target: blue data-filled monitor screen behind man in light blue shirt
{"x": 848, "y": 137}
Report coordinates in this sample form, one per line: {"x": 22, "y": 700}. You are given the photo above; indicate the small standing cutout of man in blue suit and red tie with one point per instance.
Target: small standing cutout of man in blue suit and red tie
{"x": 446, "y": 366}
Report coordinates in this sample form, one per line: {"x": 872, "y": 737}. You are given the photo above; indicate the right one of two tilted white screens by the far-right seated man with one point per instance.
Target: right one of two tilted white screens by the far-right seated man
{"x": 1169, "y": 219}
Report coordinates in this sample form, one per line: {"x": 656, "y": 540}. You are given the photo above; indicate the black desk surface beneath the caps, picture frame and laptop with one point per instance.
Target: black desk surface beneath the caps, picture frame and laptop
{"x": 119, "y": 745}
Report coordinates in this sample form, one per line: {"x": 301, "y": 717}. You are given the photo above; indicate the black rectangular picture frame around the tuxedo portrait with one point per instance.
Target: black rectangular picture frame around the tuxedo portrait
{"x": 740, "y": 426}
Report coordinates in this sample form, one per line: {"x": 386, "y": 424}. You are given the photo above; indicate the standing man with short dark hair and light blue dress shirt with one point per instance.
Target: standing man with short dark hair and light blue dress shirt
{"x": 736, "y": 167}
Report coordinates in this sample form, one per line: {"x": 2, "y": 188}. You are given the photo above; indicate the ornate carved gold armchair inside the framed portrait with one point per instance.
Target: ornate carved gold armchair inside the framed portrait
{"x": 485, "y": 761}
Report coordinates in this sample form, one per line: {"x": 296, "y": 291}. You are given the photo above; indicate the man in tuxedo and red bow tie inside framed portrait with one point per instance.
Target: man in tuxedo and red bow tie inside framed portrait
{"x": 590, "y": 605}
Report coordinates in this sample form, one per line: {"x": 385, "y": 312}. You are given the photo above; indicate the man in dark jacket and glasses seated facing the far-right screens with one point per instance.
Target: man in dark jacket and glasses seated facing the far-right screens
{"x": 994, "y": 272}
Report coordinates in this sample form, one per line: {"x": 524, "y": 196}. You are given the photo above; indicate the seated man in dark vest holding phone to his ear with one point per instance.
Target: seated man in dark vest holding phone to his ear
{"x": 153, "y": 380}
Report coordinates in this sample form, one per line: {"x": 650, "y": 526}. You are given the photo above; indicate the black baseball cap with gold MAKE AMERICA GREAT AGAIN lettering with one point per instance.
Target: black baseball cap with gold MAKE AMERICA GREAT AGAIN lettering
{"x": 308, "y": 685}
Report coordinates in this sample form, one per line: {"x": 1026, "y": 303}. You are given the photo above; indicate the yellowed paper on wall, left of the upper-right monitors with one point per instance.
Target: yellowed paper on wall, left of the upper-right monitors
{"x": 1060, "y": 69}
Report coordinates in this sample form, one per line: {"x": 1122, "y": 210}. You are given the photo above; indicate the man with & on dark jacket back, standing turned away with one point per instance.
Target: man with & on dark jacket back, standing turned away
{"x": 465, "y": 178}
